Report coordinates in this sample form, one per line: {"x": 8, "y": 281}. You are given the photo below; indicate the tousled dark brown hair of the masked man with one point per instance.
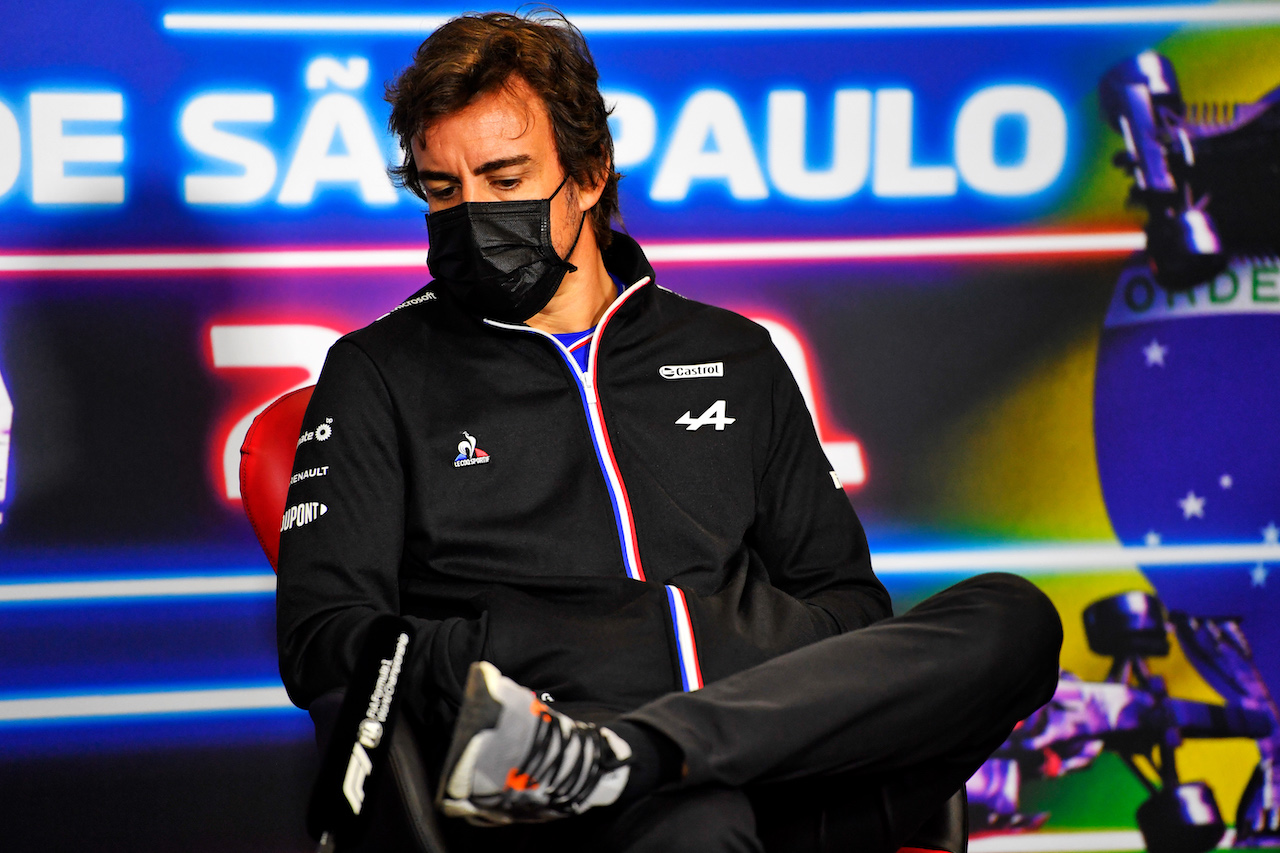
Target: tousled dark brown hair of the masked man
{"x": 481, "y": 53}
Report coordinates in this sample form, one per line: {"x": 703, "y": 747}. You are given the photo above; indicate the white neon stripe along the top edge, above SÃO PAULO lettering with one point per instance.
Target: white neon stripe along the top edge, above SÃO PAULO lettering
{"x": 1197, "y": 13}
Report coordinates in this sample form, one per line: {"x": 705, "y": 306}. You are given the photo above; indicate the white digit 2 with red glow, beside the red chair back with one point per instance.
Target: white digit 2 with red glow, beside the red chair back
{"x": 264, "y": 346}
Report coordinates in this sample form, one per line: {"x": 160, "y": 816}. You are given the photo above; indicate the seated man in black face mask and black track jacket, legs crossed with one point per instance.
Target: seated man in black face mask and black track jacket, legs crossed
{"x": 565, "y": 475}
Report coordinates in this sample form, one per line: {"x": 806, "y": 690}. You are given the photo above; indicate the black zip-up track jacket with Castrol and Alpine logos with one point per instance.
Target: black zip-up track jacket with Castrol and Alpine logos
{"x": 660, "y": 523}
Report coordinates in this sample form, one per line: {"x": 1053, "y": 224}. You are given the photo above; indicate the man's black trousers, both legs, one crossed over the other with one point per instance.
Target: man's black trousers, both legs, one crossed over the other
{"x": 848, "y": 745}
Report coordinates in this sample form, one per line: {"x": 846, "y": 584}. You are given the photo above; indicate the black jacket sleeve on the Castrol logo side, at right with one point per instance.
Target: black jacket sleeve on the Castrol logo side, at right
{"x": 806, "y": 530}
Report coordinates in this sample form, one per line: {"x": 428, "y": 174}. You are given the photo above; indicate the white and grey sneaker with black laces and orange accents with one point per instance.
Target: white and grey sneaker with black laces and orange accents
{"x": 515, "y": 760}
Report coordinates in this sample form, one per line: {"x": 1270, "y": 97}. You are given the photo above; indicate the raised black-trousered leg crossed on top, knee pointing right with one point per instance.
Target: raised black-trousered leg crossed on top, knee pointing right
{"x": 915, "y": 704}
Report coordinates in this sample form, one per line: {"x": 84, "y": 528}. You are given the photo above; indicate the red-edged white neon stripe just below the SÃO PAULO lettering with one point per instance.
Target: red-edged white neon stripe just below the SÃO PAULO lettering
{"x": 959, "y": 247}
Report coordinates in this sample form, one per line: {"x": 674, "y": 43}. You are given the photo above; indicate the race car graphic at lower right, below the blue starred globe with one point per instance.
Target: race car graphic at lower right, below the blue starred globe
{"x": 1133, "y": 715}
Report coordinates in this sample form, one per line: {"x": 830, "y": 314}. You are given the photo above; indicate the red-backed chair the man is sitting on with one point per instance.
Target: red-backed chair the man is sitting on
{"x": 267, "y": 464}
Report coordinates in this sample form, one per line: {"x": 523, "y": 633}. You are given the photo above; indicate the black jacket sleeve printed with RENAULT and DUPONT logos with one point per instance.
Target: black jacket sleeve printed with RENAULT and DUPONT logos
{"x": 341, "y": 546}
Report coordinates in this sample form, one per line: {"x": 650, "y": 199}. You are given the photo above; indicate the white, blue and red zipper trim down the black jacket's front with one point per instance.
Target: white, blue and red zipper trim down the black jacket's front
{"x": 683, "y": 630}
